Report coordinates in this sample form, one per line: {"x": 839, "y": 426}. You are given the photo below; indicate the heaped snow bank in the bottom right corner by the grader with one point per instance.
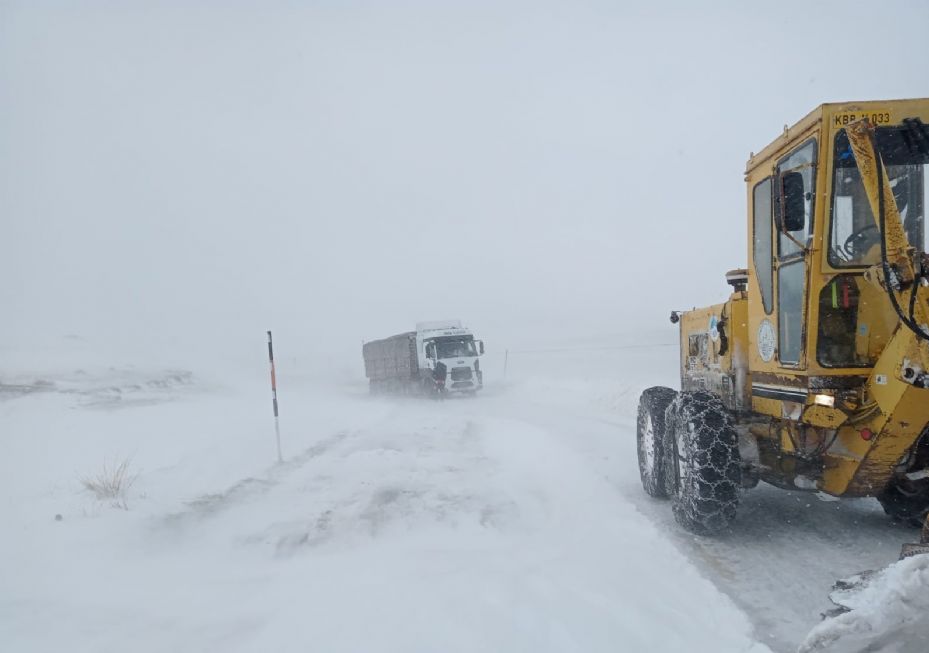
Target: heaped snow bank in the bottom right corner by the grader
{"x": 888, "y": 613}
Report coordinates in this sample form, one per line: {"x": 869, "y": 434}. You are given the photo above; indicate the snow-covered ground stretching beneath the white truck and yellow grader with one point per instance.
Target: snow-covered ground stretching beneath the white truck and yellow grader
{"x": 509, "y": 522}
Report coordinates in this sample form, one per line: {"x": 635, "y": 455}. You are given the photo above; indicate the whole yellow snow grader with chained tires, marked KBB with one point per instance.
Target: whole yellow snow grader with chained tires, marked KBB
{"x": 814, "y": 375}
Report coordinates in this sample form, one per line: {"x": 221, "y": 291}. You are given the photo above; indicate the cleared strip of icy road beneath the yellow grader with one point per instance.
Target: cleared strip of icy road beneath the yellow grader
{"x": 783, "y": 552}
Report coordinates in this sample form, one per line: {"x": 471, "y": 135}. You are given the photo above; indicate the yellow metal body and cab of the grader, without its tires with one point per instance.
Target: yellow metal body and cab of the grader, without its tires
{"x": 841, "y": 429}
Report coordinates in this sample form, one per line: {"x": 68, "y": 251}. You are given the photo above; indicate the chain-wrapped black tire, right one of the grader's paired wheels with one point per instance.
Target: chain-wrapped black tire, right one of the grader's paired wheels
{"x": 703, "y": 466}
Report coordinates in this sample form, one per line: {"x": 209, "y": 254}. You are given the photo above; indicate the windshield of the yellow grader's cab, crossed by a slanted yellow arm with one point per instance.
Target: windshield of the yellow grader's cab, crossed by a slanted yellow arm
{"x": 854, "y": 238}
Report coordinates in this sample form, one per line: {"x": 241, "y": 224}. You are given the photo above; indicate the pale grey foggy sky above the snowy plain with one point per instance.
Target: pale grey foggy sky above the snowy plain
{"x": 337, "y": 171}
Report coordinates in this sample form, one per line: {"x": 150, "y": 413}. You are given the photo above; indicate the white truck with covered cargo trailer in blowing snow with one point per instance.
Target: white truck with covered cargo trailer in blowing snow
{"x": 436, "y": 359}
